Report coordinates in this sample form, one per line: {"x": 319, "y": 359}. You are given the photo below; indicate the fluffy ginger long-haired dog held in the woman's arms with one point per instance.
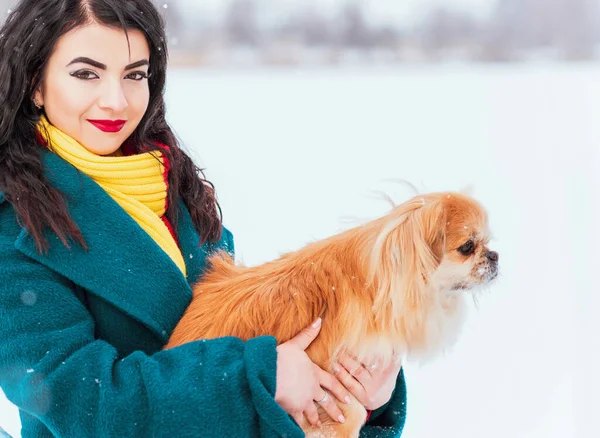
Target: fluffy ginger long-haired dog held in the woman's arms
{"x": 395, "y": 286}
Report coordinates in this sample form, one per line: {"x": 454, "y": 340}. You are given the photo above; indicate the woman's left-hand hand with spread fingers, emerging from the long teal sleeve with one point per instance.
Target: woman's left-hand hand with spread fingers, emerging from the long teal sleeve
{"x": 301, "y": 384}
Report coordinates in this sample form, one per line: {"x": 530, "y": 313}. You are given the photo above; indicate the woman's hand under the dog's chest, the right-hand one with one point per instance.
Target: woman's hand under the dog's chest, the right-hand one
{"x": 371, "y": 386}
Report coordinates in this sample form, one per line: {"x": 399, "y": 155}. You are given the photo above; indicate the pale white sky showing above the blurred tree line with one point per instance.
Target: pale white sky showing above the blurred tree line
{"x": 397, "y": 11}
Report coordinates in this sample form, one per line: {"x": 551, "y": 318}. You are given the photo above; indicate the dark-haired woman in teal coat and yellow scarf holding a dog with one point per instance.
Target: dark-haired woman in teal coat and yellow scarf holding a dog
{"x": 104, "y": 225}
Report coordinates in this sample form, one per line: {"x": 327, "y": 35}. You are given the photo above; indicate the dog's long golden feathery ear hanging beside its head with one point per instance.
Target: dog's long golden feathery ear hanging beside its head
{"x": 407, "y": 252}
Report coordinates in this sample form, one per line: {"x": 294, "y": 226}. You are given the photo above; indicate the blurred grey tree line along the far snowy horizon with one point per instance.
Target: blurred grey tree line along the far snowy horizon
{"x": 515, "y": 30}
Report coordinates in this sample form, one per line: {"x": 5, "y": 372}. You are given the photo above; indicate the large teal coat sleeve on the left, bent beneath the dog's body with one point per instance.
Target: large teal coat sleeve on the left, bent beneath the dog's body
{"x": 53, "y": 368}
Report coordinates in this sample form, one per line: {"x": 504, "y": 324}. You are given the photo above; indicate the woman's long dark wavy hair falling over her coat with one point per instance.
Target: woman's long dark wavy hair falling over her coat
{"x": 27, "y": 40}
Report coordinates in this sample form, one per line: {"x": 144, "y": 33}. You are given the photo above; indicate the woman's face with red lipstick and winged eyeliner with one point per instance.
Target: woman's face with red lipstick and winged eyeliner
{"x": 93, "y": 89}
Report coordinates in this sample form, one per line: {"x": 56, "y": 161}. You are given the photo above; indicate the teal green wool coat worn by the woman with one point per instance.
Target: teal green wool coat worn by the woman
{"x": 81, "y": 335}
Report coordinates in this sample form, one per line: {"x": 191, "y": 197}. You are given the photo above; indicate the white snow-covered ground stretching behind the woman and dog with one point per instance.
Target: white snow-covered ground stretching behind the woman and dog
{"x": 295, "y": 156}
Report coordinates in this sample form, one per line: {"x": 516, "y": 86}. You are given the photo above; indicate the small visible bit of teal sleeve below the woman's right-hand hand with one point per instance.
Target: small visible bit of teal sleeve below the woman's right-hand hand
{"x": 388, "y": 421}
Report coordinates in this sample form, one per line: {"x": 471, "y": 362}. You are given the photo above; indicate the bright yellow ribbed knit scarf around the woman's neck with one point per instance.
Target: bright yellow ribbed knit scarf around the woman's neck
{"x": 135, "y": 182}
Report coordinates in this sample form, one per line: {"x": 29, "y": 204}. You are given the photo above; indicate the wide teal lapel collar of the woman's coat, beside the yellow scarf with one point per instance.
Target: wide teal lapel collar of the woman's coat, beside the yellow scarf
{"x": 123, "y": 265}
